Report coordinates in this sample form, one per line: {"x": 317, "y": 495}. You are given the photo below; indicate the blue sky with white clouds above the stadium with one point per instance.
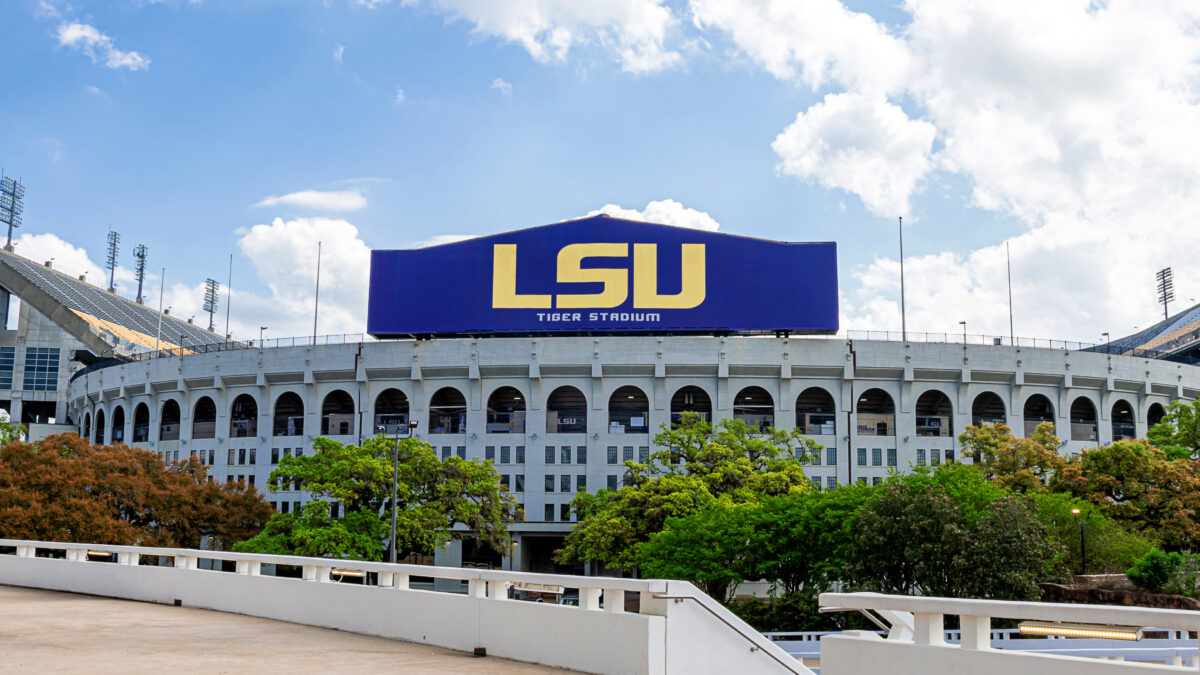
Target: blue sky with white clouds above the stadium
{"x": 1066, "y": 132}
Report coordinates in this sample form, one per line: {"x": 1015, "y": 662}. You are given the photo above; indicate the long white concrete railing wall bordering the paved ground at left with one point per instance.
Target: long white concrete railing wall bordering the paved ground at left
{"x": 677, "y": 629}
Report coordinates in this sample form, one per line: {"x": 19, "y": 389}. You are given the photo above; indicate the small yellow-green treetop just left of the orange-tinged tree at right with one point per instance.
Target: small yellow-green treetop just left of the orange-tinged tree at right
{"x": 1023, "y": 465}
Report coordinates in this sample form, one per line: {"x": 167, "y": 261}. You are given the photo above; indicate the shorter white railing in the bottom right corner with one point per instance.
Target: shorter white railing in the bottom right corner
{"x": 919, "y": 643}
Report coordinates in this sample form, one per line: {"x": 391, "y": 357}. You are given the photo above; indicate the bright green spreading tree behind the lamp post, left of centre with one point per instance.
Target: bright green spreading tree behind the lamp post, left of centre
{"x": 433, "y": 498}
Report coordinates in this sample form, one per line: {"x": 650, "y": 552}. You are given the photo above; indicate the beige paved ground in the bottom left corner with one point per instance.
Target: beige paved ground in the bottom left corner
{"x": 52, "y": 632}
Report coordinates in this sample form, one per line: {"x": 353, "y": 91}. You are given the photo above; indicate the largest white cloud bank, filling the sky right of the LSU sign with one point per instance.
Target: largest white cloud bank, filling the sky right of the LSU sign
{"x": 1081, "y": 120}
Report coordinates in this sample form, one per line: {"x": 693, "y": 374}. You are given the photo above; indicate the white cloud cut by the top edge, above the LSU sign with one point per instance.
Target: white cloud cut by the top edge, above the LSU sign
{"x": 635, "y": 31}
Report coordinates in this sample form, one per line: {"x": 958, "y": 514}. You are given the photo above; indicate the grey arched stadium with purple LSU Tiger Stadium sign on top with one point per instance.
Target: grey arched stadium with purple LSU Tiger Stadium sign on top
{"x": 512, "y": 361}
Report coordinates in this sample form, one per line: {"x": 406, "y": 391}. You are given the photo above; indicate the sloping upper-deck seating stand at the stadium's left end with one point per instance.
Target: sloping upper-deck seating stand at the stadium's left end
{"x": 107, "y": 324}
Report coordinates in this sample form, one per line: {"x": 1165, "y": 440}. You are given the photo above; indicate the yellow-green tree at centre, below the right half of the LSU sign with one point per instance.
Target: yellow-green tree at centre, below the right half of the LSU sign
{"x": 697, "y": 465}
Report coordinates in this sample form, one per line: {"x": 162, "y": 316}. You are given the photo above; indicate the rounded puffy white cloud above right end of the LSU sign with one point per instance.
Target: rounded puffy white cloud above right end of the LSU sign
{"x": 861, "y": 145}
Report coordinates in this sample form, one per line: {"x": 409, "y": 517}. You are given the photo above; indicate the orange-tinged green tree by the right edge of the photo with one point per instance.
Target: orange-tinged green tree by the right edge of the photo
{"x": 1141, "y": 488}
